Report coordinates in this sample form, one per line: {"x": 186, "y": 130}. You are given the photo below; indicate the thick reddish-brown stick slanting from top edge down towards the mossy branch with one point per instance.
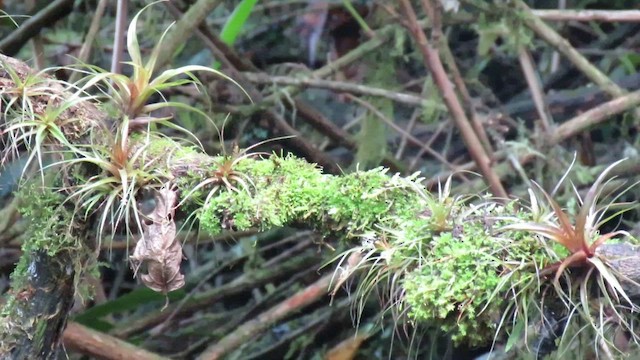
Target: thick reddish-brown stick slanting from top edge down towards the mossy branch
{"x": 433, "y": 63}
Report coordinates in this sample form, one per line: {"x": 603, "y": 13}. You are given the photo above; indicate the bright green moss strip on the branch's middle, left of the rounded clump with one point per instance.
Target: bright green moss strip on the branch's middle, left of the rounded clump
{"x": 287, "y": 190}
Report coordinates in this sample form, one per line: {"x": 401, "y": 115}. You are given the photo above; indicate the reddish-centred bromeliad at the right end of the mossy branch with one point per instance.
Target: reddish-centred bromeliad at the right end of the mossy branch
{"x": 606, "y": 309}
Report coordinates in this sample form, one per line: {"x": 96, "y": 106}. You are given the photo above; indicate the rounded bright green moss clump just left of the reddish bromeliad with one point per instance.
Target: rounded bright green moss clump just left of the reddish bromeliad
{"x": 463, "y": 275}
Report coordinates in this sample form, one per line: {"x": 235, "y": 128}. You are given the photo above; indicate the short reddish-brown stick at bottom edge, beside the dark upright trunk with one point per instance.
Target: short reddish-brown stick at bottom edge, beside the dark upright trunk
{"x": 102, "y": 346}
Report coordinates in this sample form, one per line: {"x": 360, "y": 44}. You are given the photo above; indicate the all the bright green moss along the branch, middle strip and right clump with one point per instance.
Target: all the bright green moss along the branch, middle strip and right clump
{"x": 449, "y": 258}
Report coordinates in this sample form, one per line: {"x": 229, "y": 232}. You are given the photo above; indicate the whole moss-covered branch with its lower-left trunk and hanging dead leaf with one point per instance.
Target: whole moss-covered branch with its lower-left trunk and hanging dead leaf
{"x": 447, "y": 261}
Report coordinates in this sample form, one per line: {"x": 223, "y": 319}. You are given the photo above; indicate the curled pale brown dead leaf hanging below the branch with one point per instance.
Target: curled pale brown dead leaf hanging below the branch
{"x": 158, "y": 247}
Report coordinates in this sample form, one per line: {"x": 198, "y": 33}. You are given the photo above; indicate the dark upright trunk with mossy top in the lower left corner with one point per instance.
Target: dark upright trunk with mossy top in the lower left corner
{"x": 45, "y": 280}
